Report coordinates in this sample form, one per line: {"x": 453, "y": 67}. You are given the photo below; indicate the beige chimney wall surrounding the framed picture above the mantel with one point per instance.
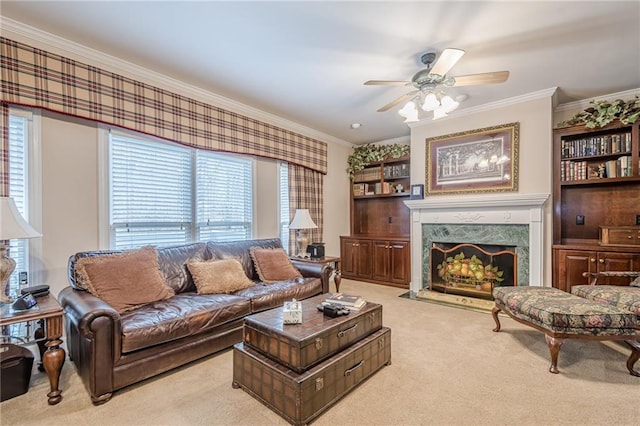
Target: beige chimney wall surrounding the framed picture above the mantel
{"x": 535, "y": 173}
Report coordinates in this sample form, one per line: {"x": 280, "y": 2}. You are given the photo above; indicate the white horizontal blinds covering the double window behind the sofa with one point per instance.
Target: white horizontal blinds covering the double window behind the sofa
{"x": 165, "y": 194}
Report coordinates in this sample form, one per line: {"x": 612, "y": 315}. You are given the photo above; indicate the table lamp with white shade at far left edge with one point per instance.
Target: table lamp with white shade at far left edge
{"x": 12, "y": 226}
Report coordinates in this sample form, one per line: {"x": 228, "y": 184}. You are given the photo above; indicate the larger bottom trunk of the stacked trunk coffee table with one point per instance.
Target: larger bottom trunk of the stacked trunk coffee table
{"x": 300, "y": 398}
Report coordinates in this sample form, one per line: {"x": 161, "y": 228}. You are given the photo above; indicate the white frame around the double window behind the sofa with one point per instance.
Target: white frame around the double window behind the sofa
{"x": 104, "y": 232}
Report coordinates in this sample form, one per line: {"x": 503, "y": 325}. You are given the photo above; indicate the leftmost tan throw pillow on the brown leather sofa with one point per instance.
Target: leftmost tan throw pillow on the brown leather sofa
{"x": 125, "y": 280}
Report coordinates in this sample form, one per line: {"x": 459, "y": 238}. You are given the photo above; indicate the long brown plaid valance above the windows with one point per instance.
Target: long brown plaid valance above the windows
{"x": 37, "y": 78}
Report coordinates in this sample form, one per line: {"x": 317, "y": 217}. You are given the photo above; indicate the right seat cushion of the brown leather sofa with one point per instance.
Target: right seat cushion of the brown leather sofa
{"x": 270, "y": 295}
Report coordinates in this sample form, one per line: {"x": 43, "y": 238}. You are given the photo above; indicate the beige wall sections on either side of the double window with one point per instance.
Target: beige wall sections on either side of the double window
{"x": 70, "y": 195}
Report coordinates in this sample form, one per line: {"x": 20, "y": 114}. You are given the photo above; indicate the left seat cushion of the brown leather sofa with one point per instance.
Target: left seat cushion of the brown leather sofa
{"x": 185, "y": 314}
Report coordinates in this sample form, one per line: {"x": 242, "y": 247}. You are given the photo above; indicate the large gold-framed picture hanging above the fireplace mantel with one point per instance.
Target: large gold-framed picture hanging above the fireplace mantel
{"x": 483, "y": 160}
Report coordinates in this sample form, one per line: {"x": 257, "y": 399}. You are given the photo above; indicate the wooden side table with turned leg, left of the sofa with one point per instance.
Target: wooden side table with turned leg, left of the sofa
{"x": 49, "y": 310}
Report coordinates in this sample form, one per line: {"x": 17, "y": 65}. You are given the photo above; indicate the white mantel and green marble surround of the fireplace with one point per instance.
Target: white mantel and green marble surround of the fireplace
{"x": 493, "y": 215}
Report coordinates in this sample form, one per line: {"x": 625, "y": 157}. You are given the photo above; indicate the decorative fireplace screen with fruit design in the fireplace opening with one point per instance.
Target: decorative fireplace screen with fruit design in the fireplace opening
{"x": 471, "y": 269}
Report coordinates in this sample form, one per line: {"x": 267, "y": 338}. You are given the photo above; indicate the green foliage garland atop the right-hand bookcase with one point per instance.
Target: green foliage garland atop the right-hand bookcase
{"x": 604, "y": 112}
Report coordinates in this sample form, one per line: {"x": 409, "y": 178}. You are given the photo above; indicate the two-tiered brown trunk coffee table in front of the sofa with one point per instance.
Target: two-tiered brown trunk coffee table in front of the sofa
{"x": 300, "y": 370}
